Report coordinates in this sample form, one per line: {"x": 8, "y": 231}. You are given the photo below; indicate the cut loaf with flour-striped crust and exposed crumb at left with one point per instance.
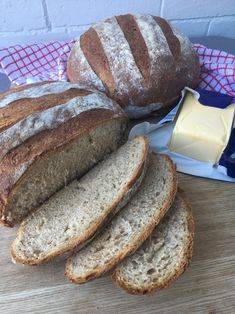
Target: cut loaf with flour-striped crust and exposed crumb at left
{"x": 51, "y": 133}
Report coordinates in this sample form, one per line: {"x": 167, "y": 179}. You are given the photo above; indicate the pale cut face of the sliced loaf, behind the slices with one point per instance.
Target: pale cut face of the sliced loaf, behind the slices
{"x": 58, "y": 167}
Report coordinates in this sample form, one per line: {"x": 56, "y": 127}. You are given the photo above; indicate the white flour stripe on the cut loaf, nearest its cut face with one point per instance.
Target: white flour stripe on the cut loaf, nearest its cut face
{"x": 51, "y": 118}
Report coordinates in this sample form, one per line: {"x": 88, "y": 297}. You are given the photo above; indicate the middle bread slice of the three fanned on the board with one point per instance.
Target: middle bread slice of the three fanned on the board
{"x": 130, "y": 228}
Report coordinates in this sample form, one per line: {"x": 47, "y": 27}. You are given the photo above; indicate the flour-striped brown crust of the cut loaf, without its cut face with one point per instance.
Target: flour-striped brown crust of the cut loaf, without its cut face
{"x": 20, "y": 152}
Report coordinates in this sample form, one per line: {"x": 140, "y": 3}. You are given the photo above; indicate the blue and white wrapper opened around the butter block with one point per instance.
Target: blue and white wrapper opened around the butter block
{"x": 159, "y": 135}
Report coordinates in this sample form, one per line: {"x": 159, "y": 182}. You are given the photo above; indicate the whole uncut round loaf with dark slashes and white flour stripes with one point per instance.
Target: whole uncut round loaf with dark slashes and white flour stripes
{"x": 138, "y": 60}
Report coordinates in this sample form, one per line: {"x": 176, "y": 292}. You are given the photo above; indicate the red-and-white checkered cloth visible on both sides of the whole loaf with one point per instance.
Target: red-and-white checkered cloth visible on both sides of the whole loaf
{"x": 47, "y": 61}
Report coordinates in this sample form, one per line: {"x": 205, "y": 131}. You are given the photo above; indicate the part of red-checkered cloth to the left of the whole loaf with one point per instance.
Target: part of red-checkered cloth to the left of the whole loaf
{"x": 36, "y": 62}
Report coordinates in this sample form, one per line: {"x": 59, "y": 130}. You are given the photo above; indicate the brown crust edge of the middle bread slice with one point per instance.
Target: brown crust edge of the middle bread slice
{"x": 132, "y": 246}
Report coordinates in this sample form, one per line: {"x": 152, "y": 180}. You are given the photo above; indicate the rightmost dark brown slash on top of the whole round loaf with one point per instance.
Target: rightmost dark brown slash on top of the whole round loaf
{"x": 172, "y": 40}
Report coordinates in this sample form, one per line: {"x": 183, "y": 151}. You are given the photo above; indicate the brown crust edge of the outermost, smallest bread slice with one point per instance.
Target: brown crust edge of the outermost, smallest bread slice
{"x": 181, "y": 268}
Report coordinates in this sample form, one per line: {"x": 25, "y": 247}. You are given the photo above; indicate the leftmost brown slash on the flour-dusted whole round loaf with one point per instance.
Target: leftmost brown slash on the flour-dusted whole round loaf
{"x": 94, "y": 52}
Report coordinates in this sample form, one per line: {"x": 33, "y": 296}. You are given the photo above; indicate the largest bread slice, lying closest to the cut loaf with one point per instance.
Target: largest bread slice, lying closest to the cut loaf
{"x": 73, "y": 215}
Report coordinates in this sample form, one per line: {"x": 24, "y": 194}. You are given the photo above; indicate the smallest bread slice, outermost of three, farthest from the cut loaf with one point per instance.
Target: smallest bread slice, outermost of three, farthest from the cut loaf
{"x": 164, "y": 256}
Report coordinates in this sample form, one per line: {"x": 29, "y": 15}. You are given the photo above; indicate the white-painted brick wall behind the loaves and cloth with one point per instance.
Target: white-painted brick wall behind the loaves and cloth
{"x": 23, "y": 21}
